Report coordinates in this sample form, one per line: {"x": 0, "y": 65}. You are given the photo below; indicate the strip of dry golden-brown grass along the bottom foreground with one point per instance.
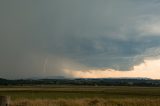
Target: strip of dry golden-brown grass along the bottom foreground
{"x": 87, "y": 102}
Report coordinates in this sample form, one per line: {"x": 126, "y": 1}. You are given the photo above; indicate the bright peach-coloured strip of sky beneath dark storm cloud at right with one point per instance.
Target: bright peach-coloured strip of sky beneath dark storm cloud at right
{"x": 148, "y": 69}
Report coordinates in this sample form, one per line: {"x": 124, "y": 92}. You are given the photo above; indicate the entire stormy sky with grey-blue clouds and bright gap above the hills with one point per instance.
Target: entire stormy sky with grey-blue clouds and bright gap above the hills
{"x": 80, "y": 38}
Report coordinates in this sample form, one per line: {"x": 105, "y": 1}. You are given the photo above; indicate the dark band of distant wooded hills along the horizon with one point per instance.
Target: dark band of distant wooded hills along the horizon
{"x": 60, "y": 80}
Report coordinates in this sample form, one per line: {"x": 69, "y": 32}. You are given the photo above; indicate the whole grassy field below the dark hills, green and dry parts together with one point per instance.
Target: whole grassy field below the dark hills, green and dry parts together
{"x": 82, "y": 96}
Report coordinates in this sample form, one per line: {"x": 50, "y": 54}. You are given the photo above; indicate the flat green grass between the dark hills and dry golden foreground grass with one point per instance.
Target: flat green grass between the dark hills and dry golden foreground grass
{"x": 77, "y": 92}
